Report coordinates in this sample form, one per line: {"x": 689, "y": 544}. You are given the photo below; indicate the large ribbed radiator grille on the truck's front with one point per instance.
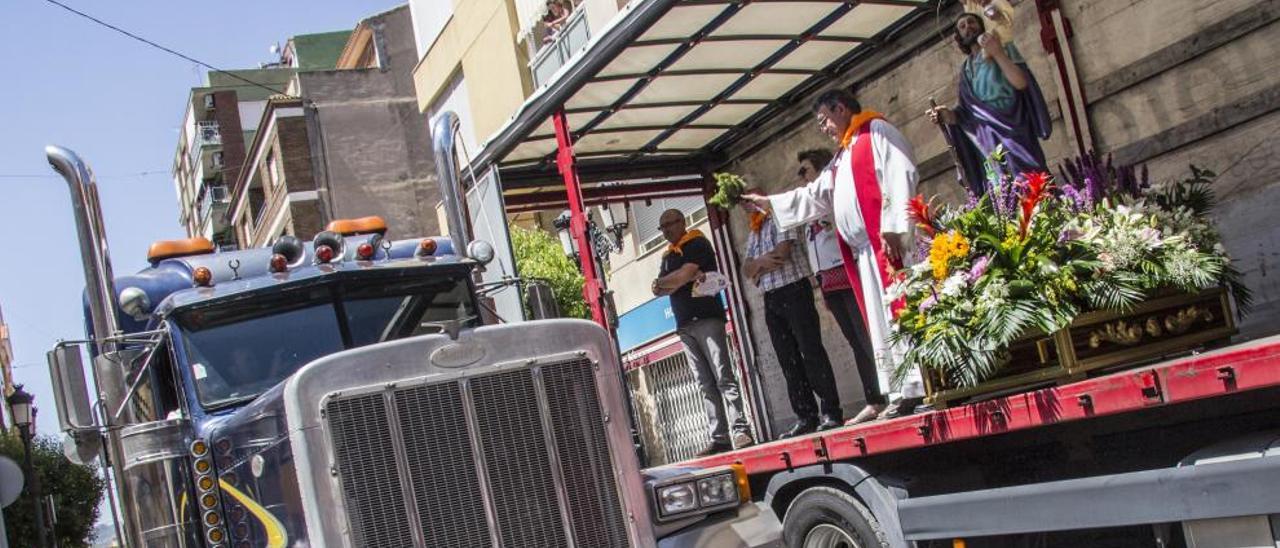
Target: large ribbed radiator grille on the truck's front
{"x": 516, "y": 459}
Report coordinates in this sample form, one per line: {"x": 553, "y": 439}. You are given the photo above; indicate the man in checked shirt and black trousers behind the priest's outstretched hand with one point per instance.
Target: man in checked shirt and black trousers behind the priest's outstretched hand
{"x": 776, "y": 262}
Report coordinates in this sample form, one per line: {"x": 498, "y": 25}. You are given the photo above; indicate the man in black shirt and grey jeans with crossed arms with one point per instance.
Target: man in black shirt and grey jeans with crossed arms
{"x": 701, "y": 326}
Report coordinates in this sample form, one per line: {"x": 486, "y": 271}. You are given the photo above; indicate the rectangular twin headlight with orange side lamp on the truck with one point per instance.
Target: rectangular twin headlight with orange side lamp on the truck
{"x": 702, "y": 492}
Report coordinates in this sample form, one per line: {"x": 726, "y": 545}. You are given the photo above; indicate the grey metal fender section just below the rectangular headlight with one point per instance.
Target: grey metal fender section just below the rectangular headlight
{"x": 751, "y": 527}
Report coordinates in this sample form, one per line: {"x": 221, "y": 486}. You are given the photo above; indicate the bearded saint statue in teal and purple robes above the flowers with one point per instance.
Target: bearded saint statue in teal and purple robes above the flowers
{"x": 1000, "y": 107}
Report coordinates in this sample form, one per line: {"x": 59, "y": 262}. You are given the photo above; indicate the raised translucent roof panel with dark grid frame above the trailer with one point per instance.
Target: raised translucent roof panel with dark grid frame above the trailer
{"x": 671, "y": 85}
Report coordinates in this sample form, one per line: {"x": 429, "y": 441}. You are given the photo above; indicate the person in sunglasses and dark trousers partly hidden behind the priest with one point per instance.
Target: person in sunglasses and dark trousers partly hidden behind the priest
{"x": 838, "y": 293}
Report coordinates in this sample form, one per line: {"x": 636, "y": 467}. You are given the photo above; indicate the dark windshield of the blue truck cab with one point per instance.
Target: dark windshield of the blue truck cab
{"x": 240, "y": 349}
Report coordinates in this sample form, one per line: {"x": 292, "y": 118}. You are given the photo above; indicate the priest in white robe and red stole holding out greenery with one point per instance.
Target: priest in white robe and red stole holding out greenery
{"x": 866, "y": 189}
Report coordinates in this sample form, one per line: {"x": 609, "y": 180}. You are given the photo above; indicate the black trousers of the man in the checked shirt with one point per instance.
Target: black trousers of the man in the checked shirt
{"x": 797, "y": 335}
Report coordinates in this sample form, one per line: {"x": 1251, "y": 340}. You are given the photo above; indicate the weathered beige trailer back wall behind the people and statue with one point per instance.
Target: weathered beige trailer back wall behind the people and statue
{"x": 1168, "y": 84}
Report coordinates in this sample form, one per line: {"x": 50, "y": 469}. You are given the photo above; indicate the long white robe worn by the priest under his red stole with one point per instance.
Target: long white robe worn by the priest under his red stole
{"x": 834, "y": 194}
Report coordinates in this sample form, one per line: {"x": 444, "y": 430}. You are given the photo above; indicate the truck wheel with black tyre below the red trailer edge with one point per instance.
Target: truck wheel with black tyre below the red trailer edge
{"x": 829, "y": 518}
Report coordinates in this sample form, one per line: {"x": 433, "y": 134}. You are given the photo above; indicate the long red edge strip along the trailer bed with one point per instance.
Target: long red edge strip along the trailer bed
{"x": 1237, "y": 369}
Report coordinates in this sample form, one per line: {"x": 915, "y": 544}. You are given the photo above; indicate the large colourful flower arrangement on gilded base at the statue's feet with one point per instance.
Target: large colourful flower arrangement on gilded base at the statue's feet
{"x": 1044, "y": 278}
